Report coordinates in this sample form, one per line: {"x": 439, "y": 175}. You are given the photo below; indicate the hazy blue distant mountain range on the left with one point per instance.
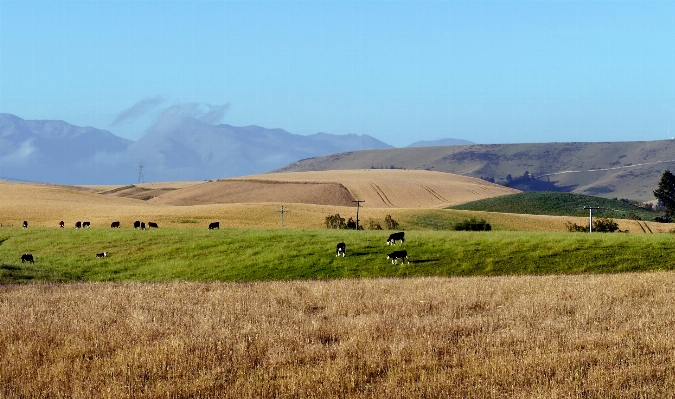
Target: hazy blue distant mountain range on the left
{"x": 175, "y": 148}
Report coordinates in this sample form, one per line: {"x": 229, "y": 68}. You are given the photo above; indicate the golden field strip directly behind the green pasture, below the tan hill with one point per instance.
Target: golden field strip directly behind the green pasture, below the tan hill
{"x": 46, "y": 205}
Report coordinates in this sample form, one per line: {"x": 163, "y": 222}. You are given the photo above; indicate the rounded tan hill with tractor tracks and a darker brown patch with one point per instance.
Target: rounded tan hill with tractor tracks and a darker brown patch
{"x": 378, "y": 188}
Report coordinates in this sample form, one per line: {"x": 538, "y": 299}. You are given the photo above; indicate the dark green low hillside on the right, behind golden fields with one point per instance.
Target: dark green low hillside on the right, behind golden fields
{"x": 558, "y": 204}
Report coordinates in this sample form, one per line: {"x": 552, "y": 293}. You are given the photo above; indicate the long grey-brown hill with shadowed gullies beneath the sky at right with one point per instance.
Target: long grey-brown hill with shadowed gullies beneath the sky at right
{"x": 617, "y": 169}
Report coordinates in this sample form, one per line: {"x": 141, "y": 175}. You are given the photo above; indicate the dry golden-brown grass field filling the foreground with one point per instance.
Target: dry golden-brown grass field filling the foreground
{"x": 594, "y": 336}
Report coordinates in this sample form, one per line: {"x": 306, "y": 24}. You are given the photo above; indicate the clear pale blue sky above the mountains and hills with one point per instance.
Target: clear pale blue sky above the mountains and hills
{"x": 489, "y": 72}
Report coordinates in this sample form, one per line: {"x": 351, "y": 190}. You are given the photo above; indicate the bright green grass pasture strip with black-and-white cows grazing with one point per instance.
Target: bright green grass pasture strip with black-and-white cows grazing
{"x": 265, "y": 254}
